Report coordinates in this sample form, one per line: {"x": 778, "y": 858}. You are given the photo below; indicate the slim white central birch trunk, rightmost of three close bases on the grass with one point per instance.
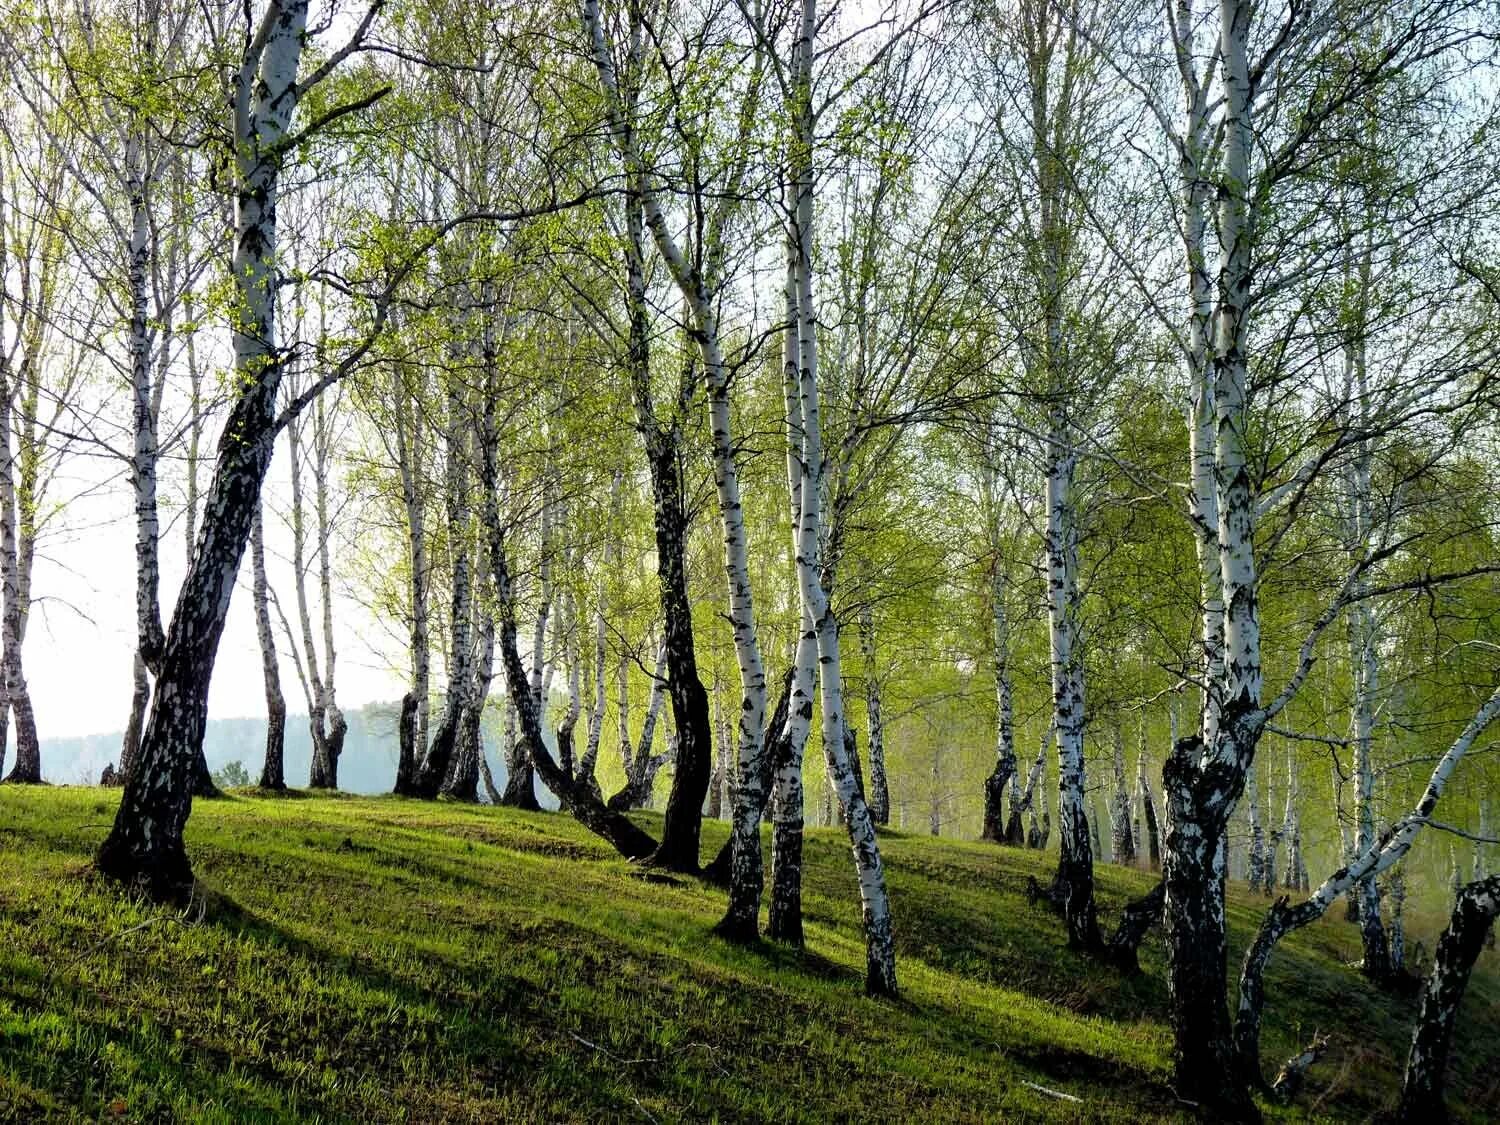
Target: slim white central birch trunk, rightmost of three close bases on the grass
{"x": 877, "y": 907}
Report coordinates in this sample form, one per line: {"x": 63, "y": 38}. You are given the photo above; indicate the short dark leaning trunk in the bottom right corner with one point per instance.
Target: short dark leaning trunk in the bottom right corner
{"x": 1457, "y": 952}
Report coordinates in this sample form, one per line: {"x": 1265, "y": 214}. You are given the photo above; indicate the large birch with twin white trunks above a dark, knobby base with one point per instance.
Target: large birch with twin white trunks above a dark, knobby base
{"x": 1237, "y": 148}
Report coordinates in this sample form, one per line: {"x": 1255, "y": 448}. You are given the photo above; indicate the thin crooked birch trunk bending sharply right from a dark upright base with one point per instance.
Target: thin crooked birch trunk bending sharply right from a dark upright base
{"x": 1369, "y": 865}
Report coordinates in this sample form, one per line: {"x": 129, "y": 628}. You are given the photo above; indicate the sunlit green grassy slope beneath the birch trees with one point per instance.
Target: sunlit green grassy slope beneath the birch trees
{"x": 386, "y": 961}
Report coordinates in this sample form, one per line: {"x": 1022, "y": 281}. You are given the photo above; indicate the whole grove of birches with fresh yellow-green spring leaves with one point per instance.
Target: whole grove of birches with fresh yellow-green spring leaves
{"x": 1076, "y": 422}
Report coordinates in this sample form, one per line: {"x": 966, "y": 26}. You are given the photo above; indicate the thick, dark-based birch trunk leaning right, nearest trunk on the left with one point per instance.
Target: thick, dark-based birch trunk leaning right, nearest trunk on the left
{"x": 146, "y": 844}
